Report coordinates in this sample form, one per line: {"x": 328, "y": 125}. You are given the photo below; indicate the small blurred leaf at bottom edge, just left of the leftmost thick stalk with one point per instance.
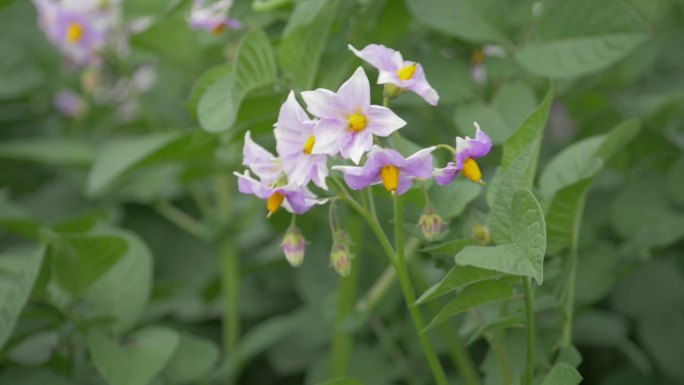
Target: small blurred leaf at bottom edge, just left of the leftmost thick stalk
{"x": 193, "y": 360}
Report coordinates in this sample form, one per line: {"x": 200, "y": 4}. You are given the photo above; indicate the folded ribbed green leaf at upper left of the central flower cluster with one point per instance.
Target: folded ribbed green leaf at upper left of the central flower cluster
{"x": 254, "y": 68}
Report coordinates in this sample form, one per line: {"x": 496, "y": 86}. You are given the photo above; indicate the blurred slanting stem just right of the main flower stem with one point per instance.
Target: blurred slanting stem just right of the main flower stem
{"x": 457, "y": 349}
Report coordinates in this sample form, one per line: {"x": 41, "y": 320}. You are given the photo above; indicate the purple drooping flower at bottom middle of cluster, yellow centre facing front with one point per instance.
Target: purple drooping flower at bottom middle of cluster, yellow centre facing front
{"x": 390, "y": 168}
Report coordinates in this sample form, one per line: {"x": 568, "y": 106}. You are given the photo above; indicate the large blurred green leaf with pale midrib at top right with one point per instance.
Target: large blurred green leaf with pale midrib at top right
{"x": 581, "y": 37}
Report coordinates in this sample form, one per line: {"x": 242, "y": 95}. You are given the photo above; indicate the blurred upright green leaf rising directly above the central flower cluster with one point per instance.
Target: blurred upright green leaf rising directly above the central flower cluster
{"x": 300, "y": 51}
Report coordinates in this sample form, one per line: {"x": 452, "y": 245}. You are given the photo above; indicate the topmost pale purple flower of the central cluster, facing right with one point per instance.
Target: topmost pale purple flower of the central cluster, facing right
{"x": 407, "y": 75}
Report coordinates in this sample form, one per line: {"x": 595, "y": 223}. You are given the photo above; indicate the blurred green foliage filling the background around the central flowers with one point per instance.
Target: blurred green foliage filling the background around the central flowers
{"x": 105, "y": 279}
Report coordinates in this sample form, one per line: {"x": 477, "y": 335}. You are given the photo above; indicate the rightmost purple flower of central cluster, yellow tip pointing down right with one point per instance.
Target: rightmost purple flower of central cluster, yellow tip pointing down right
{"x": 467, "y": 150}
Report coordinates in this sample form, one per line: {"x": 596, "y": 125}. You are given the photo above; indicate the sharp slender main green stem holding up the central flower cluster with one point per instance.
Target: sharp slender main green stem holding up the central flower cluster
{"x": 410, "y": 296}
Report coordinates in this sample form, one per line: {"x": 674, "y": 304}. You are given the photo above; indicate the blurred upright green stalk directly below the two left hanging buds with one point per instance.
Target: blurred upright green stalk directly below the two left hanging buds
{"x": 342, "y": 343}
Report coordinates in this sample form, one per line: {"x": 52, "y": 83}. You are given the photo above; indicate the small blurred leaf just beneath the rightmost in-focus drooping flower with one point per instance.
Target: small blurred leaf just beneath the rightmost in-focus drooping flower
{"x": 450, "y": 201}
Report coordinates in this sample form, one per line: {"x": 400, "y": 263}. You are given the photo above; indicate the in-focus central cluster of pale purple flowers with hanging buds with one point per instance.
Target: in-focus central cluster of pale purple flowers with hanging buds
{"x": 346, "y": 125}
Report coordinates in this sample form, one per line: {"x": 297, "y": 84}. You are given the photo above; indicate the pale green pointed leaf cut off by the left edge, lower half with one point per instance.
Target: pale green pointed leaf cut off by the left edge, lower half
{"x": 18, "y": 273}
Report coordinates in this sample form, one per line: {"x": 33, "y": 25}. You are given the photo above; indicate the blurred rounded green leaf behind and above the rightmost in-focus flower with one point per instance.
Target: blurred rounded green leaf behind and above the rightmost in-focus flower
{"x": 510, "y": 106}
